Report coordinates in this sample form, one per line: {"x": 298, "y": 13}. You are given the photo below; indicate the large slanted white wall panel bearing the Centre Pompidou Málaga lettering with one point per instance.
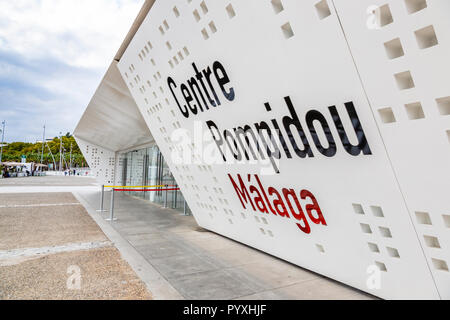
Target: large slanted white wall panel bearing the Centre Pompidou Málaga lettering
{"x": 271, "y": 50}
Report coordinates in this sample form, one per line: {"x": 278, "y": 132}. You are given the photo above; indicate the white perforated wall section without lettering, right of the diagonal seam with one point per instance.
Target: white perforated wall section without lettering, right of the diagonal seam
{"x": 414, "y": 42}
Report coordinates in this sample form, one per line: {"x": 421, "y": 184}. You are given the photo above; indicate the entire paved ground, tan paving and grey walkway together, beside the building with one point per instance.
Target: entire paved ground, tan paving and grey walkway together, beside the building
{"x": 149, "y": 252}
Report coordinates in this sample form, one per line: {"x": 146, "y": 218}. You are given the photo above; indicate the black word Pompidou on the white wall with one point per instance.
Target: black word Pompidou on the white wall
{"x": 244, "y": 142}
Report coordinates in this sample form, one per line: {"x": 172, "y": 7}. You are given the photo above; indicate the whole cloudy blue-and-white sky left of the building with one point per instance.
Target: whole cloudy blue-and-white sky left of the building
{"x": 53, "y": 54}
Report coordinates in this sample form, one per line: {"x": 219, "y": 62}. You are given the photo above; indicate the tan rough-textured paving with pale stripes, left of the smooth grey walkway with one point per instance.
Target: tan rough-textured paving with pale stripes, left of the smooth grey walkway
{"x": 38, "y": 234}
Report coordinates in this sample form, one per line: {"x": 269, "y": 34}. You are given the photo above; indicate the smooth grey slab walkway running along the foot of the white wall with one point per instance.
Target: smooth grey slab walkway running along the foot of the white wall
{"x": 199, "y": 264}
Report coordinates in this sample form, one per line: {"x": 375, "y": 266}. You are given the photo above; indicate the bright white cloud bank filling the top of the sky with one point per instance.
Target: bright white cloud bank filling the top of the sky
{"x": 81, "y": 33}
